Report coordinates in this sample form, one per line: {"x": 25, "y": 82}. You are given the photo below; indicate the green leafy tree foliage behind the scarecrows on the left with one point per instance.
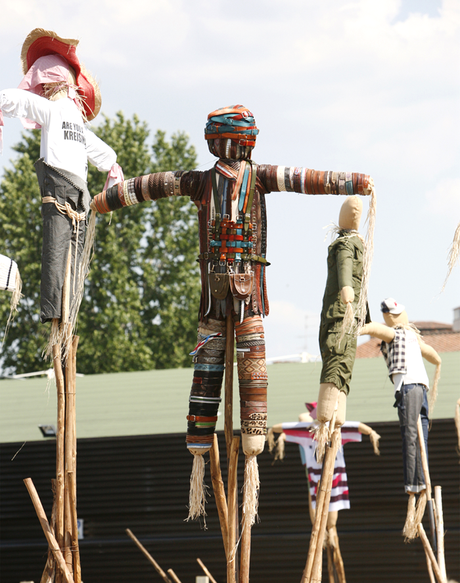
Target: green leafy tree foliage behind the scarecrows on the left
{"x": 142, "y": 294}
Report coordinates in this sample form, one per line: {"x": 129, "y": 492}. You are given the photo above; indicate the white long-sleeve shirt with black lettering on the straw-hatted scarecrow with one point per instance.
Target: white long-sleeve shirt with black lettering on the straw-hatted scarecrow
{"x": 66, "y": 142}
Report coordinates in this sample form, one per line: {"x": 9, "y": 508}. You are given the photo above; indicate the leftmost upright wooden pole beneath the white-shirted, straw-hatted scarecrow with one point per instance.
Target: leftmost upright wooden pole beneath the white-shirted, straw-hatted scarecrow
{"x": 60, "y": 439}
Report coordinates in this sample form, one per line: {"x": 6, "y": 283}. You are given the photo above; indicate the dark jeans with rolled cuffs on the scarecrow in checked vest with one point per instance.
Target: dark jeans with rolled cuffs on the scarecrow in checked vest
{"x": 412, "y": 404}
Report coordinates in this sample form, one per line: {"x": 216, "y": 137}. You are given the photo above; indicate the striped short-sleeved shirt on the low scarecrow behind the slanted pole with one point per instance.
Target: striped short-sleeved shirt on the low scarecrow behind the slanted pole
{"x": 302, "y": 434}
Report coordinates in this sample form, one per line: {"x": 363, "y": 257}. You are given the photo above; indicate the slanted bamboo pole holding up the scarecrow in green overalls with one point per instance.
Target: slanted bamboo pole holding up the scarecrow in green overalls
{"x": 322, "y": 510}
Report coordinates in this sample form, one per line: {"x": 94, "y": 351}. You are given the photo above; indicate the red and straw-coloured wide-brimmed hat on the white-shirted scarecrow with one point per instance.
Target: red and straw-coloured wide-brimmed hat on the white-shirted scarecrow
{"x": 40, "y": 43}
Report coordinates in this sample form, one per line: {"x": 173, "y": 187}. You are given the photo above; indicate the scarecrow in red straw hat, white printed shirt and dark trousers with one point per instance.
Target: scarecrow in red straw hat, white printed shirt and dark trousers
{"x": 59, "y": 96}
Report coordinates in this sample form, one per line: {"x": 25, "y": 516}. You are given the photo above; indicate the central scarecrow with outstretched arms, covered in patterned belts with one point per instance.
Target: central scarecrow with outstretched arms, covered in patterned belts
{"x": 233, "y": 260}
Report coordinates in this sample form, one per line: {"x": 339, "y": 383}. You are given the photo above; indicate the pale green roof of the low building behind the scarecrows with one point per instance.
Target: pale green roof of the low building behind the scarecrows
{"x": 156, "y": 402}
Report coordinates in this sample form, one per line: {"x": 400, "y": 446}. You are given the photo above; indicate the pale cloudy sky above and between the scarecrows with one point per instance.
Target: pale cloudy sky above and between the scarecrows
{"x": 360, "y": 86}
